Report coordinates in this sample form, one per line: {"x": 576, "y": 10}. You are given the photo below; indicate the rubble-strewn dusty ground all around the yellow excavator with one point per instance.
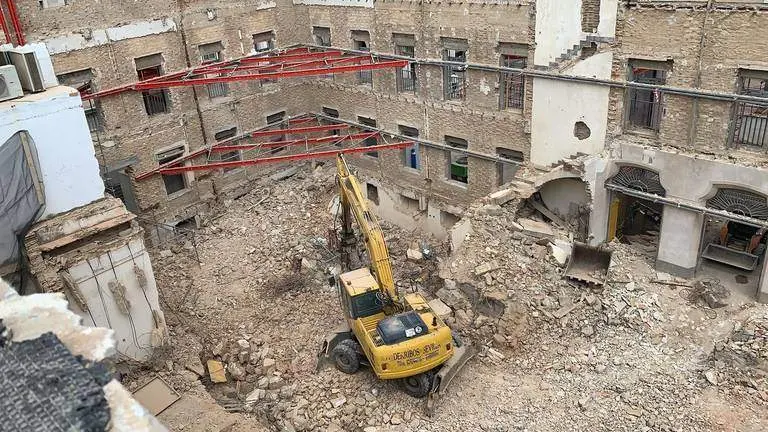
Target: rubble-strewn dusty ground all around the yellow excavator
{"x": 554, "y": 356}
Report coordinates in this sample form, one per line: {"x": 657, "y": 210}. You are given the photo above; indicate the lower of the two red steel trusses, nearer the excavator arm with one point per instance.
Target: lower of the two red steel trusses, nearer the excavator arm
{"x": 297, "y": 128}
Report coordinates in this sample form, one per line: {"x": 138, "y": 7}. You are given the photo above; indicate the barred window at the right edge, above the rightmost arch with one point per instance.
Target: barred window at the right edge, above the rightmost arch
{"x": 750, "y": 125}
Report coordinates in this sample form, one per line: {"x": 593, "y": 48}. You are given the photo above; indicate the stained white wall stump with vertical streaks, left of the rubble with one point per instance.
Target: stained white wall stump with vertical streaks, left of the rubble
{"x": 133, "y": 331}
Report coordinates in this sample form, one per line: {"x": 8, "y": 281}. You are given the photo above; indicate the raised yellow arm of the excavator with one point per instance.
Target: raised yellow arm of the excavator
{"x": 354, "y": 204}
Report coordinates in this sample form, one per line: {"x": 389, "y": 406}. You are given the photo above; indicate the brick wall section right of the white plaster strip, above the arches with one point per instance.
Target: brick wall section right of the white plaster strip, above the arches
{"x": 676, "y": 34}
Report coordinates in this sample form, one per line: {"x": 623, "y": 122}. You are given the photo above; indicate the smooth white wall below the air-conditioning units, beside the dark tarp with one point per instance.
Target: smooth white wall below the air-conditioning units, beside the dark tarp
{"x": 56, "y": 122}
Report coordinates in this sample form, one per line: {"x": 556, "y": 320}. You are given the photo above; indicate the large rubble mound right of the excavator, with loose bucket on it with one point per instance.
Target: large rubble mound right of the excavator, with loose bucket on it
{"x": 508, "y": 278}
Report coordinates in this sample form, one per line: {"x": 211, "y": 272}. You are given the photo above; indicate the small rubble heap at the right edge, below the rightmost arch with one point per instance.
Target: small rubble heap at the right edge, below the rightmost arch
{"x": 740, "y": 362}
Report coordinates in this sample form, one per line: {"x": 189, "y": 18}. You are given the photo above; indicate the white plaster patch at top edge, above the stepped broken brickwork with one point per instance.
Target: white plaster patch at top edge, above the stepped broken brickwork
{"x": 558, "y": 28}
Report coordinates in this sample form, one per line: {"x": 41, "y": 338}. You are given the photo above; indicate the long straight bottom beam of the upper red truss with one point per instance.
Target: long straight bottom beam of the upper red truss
{"x": 274, "y": 75}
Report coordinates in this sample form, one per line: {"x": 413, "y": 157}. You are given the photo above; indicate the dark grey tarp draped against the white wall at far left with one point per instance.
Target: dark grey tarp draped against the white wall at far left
{"x": 20, "y": 202}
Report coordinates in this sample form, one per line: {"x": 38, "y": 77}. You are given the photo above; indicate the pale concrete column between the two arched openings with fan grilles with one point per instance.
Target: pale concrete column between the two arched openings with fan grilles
{"x": 679, "y": 242}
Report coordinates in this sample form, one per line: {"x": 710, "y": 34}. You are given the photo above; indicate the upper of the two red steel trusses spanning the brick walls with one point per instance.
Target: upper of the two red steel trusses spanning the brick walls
{"x": 292, "y": 62}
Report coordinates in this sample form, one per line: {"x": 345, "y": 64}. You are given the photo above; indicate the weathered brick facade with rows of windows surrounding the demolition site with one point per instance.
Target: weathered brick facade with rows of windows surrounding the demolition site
{"x": 705, "y": 48}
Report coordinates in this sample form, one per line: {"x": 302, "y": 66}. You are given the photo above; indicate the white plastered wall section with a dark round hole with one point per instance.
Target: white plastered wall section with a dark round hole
{"x": 558, "y": 105}
